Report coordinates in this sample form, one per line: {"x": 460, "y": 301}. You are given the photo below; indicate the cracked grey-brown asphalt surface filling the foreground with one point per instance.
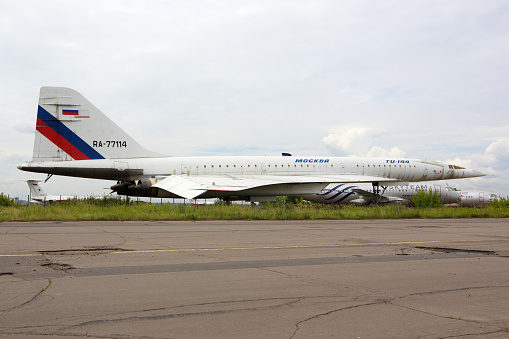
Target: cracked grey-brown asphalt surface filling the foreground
{"x": 255, "y": 279}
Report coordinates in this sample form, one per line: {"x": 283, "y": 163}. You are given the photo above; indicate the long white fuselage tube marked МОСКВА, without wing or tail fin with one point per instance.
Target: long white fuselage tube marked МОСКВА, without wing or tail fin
{"x": 411, "y": 170}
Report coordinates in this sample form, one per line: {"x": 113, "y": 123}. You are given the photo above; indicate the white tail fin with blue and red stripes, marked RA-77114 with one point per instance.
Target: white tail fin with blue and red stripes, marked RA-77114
{"x": 69, "y": 127}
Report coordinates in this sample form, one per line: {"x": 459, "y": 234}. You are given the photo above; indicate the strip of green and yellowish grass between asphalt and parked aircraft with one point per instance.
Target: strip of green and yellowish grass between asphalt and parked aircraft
{"x": 115, "y": 211}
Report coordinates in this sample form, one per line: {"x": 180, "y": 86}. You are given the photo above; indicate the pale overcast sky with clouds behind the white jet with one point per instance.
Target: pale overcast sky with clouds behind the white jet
{"x": 416, "y": 79}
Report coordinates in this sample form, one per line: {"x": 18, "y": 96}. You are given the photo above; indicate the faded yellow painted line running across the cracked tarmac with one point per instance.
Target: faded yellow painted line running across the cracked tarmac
{"x": 274, "y": 247}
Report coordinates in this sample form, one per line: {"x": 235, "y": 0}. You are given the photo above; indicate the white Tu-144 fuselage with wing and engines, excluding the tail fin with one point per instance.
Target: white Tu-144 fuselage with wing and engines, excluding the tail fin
{"x": 246, "y": 177}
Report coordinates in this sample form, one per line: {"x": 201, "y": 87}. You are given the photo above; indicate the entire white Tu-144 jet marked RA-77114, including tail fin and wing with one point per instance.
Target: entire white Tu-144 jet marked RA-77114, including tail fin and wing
{"x": 74, "y": 138}
